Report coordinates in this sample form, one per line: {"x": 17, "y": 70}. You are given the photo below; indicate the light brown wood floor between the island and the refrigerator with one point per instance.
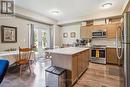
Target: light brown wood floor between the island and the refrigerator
{"x": 101, "y": 76}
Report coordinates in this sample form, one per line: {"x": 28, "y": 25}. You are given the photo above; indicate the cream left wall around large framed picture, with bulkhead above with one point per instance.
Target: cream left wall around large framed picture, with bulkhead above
{"x": 22, "y": 26}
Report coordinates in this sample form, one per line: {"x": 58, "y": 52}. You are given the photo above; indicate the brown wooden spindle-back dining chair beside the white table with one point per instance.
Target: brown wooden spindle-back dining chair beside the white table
{"x": 23, "y": 58}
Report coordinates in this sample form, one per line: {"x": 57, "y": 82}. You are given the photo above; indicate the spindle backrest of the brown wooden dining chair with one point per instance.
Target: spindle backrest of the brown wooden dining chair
{"x": 24, "y": 53}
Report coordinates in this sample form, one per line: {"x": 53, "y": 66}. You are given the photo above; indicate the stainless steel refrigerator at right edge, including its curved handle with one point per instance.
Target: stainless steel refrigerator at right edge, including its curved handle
{"x": 124, "y": 52}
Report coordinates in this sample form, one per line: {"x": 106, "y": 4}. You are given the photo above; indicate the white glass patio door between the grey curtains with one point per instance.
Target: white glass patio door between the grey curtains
{"x": 41, "y": 40}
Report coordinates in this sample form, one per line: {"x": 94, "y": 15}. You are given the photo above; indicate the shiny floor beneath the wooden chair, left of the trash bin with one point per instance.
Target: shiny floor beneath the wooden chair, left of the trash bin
{"x": 36, "y": 79}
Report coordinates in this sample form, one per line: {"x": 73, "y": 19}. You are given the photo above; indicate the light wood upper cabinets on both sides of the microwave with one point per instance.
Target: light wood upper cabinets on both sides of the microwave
{"x": 111, "y": 26}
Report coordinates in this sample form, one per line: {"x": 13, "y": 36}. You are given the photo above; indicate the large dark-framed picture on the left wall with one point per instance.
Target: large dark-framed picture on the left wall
{"x": 8, "y": 34}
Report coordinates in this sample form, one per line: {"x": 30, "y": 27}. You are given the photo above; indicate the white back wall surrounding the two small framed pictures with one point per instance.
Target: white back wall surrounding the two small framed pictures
{"x": 68, "y": 29}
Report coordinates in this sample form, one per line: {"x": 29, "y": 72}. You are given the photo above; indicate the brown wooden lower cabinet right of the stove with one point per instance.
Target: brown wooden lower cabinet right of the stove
{"x": 112, "y": 56}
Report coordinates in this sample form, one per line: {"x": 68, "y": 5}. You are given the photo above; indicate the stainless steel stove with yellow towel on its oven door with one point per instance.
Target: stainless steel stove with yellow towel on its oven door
{"x": 98, "y": 54}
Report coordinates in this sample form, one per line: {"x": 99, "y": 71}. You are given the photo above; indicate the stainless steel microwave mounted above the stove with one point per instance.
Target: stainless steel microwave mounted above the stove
{"x": 99, "y": 34}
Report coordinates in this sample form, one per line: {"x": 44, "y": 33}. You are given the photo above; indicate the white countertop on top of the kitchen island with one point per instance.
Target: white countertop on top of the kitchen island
{"x": 68, "y": 50}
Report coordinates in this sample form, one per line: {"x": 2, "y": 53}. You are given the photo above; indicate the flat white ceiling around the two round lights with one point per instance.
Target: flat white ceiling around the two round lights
{"x": 70, "y": 8}
